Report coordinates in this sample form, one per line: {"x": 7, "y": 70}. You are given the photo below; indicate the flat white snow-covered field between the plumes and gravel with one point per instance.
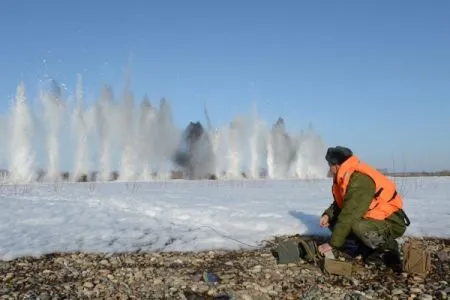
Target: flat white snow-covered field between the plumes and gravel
{"x": 186, "y": 215}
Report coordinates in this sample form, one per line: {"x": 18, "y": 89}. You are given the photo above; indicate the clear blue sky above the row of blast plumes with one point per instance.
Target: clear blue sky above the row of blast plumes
{"x": 371, "y": 75}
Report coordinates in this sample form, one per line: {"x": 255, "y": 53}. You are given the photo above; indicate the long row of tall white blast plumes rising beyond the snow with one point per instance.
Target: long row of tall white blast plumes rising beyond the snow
{"x": 141, "y": 142}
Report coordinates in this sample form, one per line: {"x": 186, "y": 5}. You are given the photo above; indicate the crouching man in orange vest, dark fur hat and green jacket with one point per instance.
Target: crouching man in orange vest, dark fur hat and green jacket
{"x": 367, "y": 214}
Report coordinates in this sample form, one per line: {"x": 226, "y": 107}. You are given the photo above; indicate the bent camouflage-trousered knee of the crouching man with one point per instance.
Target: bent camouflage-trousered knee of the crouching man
{"x": 372, "y": 233}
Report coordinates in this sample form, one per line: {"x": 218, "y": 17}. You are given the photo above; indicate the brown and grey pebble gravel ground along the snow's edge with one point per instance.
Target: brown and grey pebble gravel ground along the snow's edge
{"x": 245, "y": 274}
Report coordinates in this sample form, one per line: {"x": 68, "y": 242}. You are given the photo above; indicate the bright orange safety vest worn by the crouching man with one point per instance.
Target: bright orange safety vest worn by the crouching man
{"x": 386, "y": 200}
